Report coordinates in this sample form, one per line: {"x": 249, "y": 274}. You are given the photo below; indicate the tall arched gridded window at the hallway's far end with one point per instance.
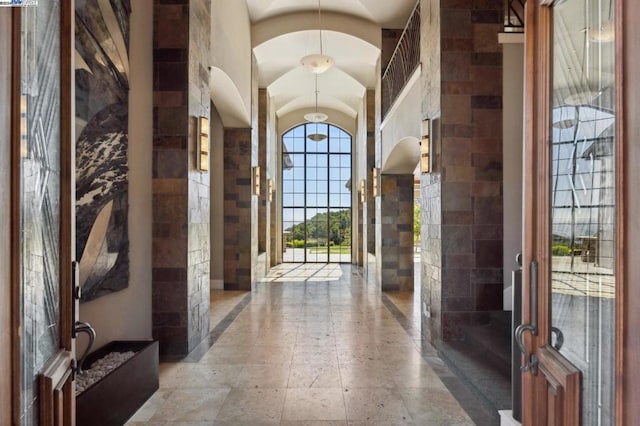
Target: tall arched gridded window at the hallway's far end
{"x": 316, "y": 194}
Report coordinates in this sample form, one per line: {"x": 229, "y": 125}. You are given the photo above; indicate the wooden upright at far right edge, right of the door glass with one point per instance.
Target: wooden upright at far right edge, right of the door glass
{"x": 628, "y": 214}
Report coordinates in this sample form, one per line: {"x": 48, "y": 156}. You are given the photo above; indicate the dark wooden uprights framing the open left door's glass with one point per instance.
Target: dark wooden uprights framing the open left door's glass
{"x": 67, "y": 196}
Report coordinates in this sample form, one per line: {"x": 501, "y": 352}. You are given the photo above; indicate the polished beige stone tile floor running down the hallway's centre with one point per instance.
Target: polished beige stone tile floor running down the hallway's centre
{"x": 308, "y": 353}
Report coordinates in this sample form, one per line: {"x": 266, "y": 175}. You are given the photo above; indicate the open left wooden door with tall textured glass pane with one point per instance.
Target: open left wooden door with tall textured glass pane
{"x": 42, "y": 206}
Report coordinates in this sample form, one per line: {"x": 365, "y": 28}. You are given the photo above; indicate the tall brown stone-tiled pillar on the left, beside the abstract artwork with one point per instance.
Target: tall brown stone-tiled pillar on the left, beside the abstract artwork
{"x": 181, "y": 249}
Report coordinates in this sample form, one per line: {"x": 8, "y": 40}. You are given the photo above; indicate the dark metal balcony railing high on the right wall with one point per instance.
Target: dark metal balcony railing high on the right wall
{"x": 403, "y": 62}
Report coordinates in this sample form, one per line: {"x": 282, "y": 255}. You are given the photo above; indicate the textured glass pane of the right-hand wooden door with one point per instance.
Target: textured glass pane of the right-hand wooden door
{"x": 583, "y": 197}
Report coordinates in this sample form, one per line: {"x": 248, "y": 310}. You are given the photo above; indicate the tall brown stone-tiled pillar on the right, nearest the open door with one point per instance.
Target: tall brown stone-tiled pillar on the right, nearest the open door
{"x": 462, "y": 198}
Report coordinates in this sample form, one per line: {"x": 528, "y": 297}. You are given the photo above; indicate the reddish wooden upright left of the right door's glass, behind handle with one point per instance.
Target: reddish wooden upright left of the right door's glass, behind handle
{"x": 537, "y": 54}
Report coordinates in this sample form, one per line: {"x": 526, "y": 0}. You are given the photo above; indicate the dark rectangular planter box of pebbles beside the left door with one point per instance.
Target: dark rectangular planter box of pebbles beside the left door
{"x": 117, "y": 396}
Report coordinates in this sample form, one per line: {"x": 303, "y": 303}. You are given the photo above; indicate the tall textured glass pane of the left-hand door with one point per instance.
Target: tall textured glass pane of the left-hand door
{"x": 39, "y": 197}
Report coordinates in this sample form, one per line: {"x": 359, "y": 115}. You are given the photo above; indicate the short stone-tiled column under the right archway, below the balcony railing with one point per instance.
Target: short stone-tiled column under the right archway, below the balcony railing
{"x": 396, "y": 223}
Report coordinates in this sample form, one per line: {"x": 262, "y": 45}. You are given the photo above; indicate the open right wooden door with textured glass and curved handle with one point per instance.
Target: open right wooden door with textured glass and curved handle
{"x": 571, "y": 247}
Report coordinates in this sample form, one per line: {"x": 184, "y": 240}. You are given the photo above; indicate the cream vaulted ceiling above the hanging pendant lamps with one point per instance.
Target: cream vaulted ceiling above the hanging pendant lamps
{"x": 342, "y": 87}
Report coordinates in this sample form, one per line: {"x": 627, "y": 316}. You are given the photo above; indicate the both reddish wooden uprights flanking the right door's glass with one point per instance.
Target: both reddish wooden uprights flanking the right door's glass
{"x": 536, "y": 241}
